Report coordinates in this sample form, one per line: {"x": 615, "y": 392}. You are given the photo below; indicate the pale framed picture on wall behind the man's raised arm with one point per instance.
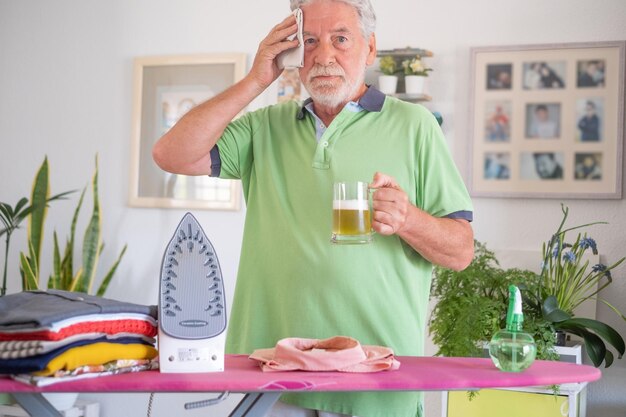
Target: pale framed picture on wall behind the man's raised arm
{"x": 165, "y": 88}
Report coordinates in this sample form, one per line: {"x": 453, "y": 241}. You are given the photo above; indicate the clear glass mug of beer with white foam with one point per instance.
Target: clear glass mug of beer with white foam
{"x": 352, "y": 215}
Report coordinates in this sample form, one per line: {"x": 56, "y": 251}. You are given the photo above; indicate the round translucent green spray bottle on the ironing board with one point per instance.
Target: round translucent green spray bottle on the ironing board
{"x": 511, "y": 349}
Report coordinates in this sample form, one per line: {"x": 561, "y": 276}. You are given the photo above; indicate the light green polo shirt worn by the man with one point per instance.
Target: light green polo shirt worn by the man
{"x": 292, "y": 281}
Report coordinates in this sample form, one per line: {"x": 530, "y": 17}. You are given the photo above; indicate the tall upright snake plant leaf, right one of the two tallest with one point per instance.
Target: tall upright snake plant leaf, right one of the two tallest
{"x": 92, "y": 239}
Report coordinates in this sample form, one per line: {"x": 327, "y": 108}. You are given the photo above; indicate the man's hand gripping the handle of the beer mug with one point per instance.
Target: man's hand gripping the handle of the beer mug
{"x": 390, "y": 205}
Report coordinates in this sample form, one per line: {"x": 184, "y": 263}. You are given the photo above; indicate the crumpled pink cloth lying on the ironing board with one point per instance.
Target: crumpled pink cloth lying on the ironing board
{"x": 339, "y": 353}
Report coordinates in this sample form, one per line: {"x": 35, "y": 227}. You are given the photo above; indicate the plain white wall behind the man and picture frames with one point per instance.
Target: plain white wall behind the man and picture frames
{"x": 65, "y": 92}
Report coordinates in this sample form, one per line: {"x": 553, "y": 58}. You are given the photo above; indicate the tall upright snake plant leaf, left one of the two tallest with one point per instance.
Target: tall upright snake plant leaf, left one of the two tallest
{"x": 39, "y": 197}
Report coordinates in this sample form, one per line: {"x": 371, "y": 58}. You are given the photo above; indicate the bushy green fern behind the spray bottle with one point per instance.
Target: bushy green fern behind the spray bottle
{"x": 472, "y": 304}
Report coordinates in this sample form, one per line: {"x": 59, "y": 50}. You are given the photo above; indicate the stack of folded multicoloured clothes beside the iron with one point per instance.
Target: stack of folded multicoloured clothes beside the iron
{"x": 49, "y": 336}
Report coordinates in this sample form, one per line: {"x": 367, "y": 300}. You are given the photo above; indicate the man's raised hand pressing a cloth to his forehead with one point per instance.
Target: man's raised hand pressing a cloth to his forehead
{"x": 264, "y": 69}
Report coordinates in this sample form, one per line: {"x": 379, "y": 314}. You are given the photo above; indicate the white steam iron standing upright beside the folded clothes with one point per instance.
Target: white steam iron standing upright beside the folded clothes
{"x": 192, "y": 308}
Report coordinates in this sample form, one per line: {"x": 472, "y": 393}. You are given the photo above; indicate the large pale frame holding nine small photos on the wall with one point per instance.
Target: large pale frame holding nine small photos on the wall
{"x": 547, "y": 121}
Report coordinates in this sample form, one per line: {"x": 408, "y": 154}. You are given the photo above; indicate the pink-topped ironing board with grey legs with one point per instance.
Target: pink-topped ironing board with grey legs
{"x": 263, "y": 389}
